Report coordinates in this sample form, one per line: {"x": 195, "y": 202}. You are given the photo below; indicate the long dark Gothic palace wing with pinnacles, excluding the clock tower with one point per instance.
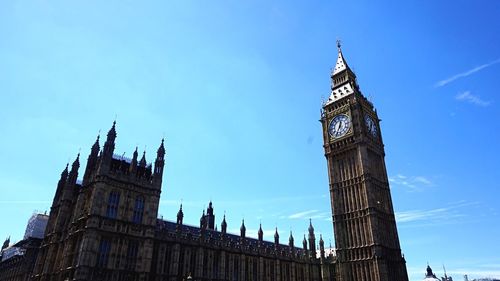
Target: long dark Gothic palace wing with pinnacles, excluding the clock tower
{"x": 106, "y": 228}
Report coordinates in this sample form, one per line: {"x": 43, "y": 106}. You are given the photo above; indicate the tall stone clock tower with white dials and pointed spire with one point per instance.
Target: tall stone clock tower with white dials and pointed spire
{"x": 366, "y": 238}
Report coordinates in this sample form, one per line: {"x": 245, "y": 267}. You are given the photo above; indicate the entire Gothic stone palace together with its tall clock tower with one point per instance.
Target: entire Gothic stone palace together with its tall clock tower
{"x": 106, "y": 226}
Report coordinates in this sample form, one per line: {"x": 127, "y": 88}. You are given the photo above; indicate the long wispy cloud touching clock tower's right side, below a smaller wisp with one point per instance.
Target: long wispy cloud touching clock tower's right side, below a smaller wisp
{"x": 451, "y": 211}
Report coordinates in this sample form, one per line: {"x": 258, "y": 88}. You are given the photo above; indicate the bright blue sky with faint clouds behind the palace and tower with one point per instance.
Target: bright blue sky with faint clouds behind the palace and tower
{"x": 235, "y": 88}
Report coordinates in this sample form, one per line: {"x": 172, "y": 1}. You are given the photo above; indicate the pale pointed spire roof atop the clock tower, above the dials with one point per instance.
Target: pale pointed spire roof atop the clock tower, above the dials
{"x": 343, "y": 78}
